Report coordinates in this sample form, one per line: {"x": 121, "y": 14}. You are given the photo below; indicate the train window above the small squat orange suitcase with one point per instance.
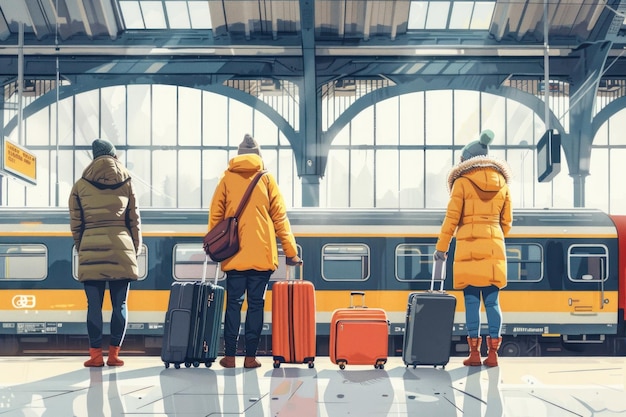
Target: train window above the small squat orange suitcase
{"x": 345, "y": 262}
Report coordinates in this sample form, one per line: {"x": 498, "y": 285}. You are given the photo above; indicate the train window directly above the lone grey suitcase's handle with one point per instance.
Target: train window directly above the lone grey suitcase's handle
{"x": 414, "y": 262}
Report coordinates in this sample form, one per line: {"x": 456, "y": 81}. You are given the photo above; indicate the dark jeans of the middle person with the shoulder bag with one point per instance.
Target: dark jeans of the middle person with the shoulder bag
{"x": 238, "y": 284}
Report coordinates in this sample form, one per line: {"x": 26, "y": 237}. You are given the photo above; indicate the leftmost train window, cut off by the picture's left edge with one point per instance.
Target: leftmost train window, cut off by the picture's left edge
{"x": 23, "y": 262}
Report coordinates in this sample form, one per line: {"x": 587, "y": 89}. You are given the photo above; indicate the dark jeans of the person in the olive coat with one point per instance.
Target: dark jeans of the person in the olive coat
{"x": 118, "y": 290}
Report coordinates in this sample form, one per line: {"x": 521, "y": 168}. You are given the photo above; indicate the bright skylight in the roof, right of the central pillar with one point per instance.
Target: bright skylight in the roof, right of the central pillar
{"x": 451, "y": 15}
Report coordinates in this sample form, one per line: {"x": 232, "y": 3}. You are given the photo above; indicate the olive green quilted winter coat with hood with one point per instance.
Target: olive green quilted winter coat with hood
{"x": 105, "y": 222}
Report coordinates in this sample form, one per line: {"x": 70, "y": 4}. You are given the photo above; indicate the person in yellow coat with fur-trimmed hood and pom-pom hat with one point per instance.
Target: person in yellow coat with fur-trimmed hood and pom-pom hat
{"x": 480, "y": 214}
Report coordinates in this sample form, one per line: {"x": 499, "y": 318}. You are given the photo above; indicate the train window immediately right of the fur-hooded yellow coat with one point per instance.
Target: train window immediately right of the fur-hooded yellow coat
{"x": 524, "y": 262}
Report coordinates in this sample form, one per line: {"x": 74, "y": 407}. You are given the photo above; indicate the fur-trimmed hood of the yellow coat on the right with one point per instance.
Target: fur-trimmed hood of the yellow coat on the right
{"x": 486, "y": 172}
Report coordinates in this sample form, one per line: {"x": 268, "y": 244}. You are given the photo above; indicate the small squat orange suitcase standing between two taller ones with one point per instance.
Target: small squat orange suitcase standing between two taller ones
{"x": 359, "y": 335}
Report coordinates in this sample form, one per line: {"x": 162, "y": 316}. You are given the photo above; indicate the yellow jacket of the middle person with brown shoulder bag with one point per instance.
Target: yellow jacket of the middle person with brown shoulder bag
{"x": 262, "y": 221}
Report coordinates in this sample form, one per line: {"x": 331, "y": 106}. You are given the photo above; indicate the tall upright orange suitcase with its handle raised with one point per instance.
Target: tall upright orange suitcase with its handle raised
{"x": 293, "y": 320}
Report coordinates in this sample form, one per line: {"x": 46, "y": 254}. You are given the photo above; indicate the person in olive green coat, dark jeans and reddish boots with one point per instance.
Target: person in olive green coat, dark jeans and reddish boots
{"x": 106, "y": 227}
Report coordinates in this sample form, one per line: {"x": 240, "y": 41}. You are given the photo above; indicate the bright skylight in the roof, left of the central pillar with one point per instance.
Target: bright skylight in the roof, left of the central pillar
{"x": 166, "y": 14}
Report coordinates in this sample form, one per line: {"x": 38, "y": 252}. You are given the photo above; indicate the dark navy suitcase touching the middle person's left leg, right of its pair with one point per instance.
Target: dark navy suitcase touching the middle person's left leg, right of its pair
{"x": 206, "y": 321}
